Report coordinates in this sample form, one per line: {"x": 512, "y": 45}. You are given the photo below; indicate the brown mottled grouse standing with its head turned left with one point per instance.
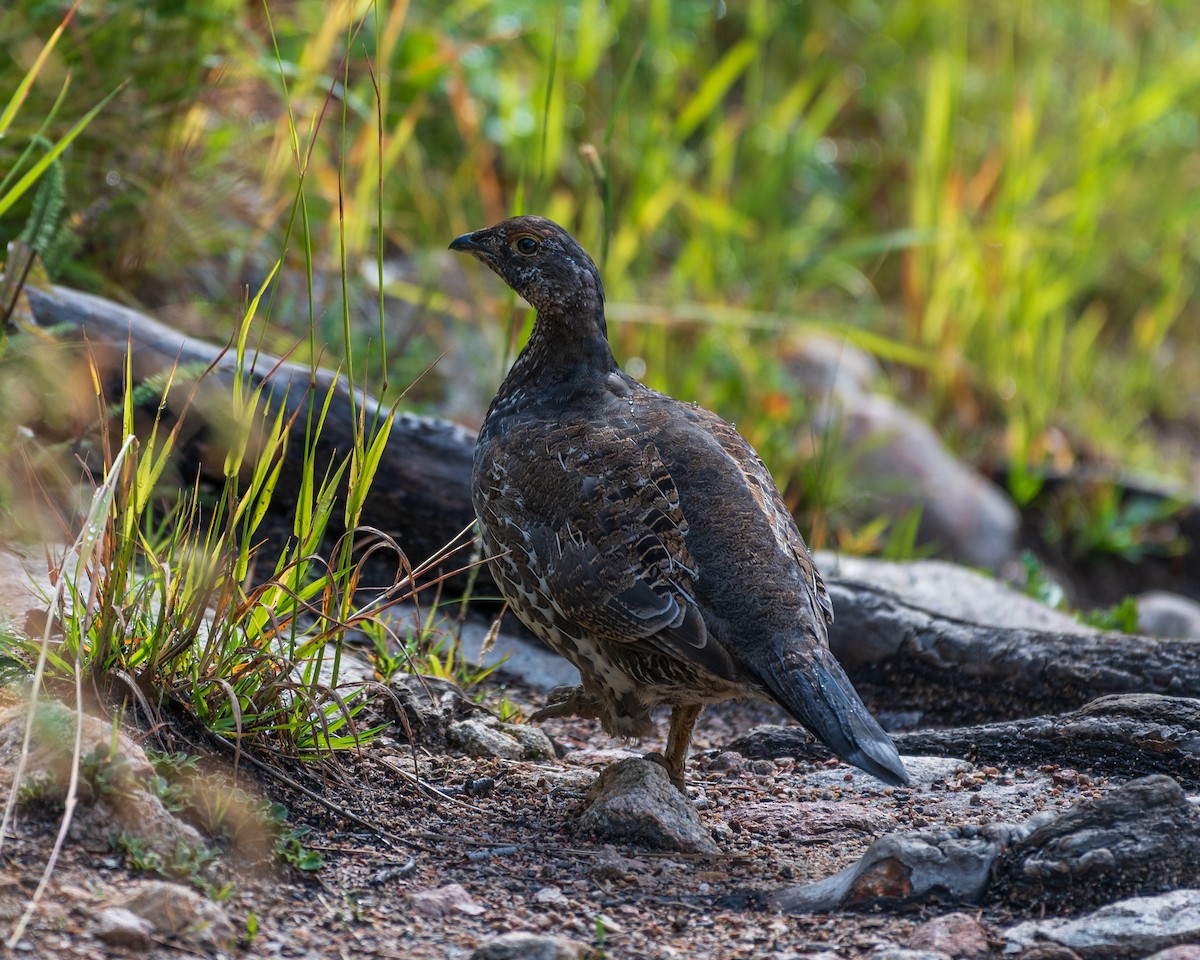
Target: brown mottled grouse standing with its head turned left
{"x": 643, "y": 538}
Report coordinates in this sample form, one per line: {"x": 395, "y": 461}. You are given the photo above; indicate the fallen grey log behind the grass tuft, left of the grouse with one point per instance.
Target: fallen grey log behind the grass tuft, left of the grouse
{"x": 423, "y": 494}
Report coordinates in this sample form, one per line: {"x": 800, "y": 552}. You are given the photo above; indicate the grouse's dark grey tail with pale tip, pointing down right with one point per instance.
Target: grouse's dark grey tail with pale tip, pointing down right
{"x": 815, "y": 691}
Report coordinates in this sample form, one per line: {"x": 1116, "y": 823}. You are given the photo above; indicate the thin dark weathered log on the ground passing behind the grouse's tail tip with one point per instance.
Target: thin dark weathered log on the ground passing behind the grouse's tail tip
{"x": 1120, "y": 736}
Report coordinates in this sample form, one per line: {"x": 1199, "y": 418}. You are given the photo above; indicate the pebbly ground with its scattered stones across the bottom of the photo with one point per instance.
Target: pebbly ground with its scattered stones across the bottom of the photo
{"x": 434, "y": 854}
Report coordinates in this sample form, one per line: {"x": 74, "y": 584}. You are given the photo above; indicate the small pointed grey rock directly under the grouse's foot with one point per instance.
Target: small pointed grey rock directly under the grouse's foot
{"x": 634, "y": 802}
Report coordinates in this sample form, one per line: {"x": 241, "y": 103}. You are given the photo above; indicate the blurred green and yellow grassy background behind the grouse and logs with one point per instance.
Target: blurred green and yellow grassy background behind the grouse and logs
{"x": 999, "y": 201}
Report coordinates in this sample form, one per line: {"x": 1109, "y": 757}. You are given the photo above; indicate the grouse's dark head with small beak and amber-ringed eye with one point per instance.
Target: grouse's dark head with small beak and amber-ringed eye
{"x": 541, "y": 261}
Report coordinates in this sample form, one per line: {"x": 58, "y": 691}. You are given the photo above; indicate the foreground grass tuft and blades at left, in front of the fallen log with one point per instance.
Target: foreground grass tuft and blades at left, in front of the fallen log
{"x": 164, "y": 598}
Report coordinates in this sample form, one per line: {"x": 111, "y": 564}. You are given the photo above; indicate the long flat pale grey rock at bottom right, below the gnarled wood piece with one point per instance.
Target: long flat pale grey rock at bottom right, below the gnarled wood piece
{"x": 1127, "y": 929}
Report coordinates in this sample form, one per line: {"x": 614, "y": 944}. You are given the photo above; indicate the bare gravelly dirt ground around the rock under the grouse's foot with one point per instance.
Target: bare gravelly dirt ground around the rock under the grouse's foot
{"x": 505, "y": 831}
